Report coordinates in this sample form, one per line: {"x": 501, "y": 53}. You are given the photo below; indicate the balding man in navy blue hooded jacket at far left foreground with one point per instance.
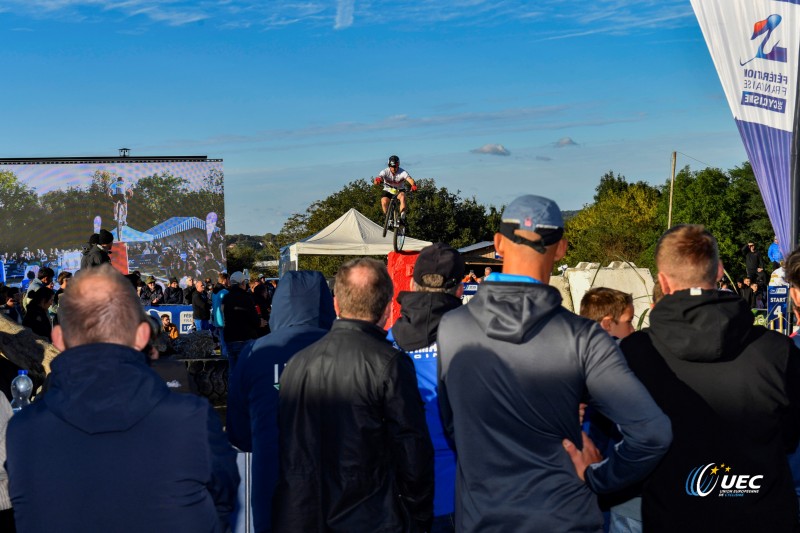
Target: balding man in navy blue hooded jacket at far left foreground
{"x": 109, "y": 447}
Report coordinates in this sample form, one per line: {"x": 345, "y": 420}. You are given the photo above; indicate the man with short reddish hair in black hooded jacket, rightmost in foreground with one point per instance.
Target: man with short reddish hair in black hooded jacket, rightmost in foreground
{"x": 732, "y": 391}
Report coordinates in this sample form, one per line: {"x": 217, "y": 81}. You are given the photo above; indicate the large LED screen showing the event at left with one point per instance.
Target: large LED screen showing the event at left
{"x": 167, "y": 215}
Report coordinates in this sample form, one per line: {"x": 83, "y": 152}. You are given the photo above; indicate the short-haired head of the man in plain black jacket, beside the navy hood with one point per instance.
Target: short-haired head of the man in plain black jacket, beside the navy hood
{"x": 363, "y": 289}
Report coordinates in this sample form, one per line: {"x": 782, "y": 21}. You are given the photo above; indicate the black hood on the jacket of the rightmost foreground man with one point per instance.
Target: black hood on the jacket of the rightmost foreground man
{"x": 700, "y": 325}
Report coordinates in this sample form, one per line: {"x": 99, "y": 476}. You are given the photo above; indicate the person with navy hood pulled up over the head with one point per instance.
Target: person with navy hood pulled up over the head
{"x": 302, "y": 313}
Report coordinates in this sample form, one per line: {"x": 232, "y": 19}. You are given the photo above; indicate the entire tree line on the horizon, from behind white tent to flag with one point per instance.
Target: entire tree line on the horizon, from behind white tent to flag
{"x": 623, "y": 223}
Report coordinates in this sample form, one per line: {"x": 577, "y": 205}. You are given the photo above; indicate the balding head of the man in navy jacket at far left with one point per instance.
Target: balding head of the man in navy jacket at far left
{"x": 99, "y": 305}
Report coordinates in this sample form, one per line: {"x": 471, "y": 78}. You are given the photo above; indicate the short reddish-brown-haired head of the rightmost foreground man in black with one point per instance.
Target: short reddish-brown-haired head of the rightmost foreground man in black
{"x": 688, "y": 255}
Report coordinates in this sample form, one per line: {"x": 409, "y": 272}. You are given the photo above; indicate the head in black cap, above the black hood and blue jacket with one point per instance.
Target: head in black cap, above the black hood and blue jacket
{"x": 438, "y": 268}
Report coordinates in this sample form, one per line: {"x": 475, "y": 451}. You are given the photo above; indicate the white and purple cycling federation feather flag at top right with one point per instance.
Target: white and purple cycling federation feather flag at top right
{"x": 754, "y": 45}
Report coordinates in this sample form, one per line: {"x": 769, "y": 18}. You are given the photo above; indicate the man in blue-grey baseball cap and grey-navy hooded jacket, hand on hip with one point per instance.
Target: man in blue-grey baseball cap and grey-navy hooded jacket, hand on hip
{"x": 515, "y": 365}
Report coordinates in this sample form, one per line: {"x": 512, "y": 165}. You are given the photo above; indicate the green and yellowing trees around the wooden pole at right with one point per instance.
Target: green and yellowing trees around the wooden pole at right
{"x": 626, "y": 218}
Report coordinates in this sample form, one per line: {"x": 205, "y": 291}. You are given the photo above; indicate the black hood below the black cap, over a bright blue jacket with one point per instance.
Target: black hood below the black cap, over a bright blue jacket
{"x": 420, "y": 314}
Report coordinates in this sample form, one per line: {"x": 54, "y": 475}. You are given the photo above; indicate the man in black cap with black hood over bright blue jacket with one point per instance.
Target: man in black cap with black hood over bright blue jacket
{"x": 436, "y": 289}
